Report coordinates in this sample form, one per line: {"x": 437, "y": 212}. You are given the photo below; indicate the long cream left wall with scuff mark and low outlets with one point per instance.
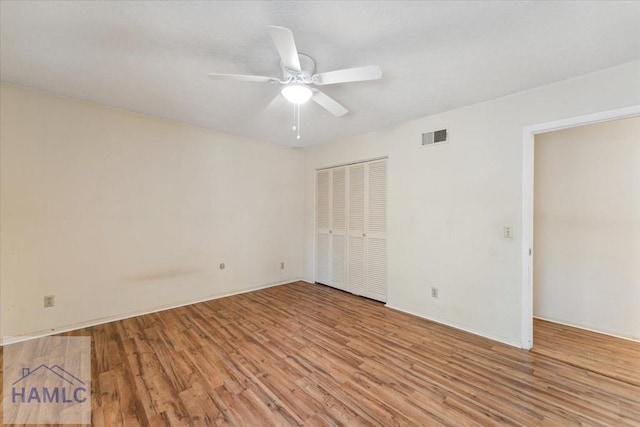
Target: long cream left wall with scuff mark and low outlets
{"x": 117, "y": 213}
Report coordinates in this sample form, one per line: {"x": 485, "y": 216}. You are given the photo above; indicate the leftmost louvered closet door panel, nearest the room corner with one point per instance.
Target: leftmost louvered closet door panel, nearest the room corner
{"x": 323, "y": 209}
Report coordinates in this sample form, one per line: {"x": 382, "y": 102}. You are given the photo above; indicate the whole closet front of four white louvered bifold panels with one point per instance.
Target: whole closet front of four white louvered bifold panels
{"x": 351, "y": 228}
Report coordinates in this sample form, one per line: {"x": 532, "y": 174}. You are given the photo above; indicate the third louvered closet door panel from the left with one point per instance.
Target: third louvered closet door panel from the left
{"x": 356, "y": 229}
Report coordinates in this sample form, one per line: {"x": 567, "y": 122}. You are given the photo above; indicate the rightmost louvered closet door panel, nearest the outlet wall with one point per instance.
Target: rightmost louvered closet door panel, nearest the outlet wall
{"x": 376, "y": 234}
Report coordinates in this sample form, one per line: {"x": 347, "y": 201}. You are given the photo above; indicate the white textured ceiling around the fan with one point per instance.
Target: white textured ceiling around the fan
{"x": 154, "y": 57}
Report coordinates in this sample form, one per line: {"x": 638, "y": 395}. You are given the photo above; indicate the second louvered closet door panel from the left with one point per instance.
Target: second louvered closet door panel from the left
{"x": 338, "y": 239}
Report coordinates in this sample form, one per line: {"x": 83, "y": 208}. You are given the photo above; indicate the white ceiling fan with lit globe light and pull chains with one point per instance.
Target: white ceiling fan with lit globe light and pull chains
{"x": 299, "y": 78}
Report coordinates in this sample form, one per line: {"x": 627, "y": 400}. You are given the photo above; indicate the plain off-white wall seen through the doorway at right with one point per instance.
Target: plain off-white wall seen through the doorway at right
{"x": 587, "y": 227}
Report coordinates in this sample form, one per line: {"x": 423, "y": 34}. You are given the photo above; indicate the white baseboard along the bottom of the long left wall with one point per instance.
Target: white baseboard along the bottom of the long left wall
{"x": 100, "y": 321}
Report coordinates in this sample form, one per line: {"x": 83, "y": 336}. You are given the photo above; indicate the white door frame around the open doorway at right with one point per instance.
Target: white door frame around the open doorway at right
{"x": 528, "y": 139}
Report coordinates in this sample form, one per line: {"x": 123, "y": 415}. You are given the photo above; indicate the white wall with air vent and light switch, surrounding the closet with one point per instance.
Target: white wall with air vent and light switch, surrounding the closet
{"x": 448, "y": 204}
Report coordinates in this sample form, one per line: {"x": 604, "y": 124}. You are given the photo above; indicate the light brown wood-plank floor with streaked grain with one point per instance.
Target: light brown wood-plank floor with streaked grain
{"x": 302, "y": 354}
